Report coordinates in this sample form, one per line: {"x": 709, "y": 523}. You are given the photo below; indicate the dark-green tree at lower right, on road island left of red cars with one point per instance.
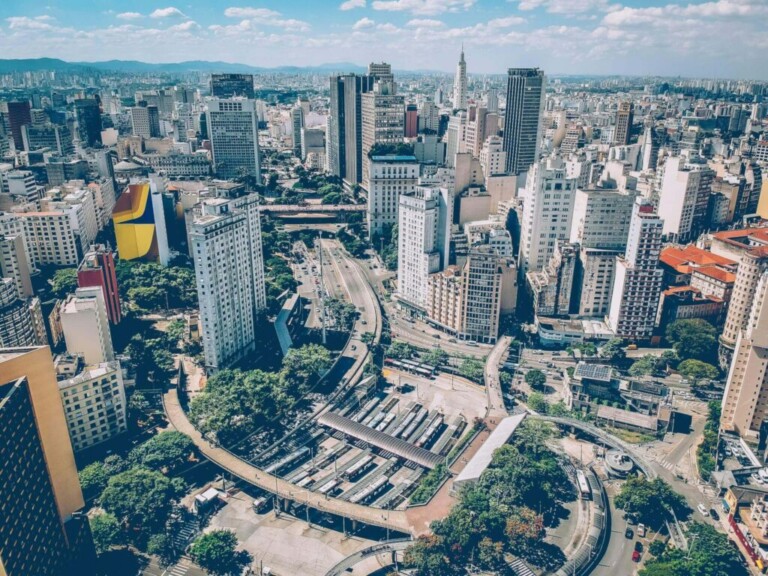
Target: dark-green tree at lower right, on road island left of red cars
{"x": 649, "y": 501}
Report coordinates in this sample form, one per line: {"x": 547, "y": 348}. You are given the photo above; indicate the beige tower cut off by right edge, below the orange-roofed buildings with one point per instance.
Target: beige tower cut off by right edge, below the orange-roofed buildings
{"x": 745, "y": 405}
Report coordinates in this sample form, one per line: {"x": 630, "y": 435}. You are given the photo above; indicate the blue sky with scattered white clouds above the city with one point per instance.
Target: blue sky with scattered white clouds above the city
{"x": 715, "y": 38}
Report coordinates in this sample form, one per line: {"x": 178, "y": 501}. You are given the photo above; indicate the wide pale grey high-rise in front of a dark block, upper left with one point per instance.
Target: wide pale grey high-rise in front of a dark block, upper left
{"x": 233, "y": 132}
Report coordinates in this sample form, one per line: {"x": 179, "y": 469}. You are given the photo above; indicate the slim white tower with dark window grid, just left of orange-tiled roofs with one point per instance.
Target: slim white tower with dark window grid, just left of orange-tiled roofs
{"x": 638, "y": 278}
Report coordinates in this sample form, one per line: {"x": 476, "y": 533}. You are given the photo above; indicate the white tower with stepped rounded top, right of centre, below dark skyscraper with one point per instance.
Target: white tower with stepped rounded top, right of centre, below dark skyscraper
{"x": 547, "y": 212}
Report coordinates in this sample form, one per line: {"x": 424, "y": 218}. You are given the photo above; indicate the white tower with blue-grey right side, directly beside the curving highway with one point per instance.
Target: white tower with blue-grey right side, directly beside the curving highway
{"x": 424, "y": 237}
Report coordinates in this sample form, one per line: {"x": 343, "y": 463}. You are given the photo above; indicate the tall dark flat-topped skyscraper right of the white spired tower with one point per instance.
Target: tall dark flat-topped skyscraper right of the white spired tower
{"x": 522, "y": 118}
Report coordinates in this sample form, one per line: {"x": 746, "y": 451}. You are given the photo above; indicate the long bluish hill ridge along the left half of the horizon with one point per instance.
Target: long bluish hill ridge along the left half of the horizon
{"x": 136, "y": 67}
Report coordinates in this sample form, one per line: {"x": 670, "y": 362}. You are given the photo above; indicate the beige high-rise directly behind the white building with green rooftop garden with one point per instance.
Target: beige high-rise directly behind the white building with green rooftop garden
{"x": 383, "y": 120}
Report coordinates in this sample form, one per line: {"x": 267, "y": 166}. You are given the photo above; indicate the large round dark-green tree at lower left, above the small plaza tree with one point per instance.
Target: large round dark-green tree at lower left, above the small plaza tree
{"x": 141, "y": 498}
